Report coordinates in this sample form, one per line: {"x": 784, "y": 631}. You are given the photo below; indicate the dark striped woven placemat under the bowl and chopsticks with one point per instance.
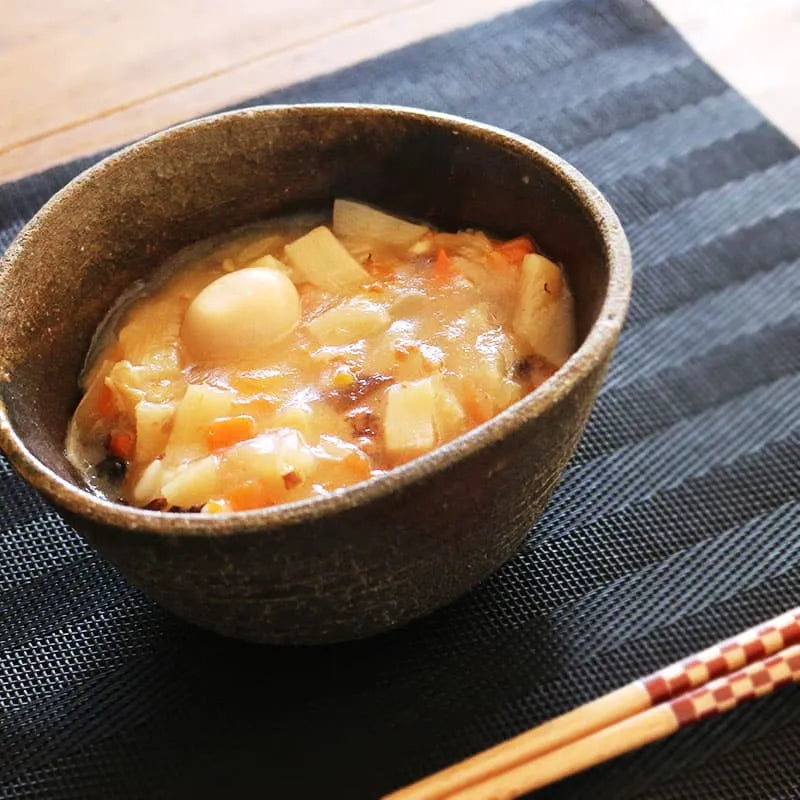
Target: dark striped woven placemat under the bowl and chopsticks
{"x": 675, "y": 524}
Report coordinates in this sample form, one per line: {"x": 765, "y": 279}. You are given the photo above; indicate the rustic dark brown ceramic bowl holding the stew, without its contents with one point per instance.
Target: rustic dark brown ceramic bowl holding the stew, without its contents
{"x": 365, "y": 558}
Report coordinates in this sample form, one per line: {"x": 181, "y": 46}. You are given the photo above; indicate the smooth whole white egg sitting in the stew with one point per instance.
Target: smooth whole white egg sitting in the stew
{"x": 240, "y": 314}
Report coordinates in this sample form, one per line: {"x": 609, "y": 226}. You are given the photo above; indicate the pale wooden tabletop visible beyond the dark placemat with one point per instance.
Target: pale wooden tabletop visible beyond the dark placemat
{"x": 77, "y": 76}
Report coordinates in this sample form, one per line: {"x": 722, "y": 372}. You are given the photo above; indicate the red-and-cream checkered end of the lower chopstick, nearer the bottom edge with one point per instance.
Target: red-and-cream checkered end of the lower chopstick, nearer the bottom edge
{"x": 746, "y": 684}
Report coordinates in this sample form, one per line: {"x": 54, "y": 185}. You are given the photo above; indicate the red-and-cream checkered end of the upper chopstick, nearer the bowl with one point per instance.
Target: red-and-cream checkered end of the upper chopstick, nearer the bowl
{"x": 722, "y": 658}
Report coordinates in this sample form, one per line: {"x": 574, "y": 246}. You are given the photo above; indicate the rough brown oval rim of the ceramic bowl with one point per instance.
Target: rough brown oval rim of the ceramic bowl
{"x": 599, "y": 343}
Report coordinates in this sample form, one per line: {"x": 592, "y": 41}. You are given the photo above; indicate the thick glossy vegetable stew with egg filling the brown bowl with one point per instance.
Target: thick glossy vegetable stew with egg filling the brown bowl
{"x": 288, "y": 360}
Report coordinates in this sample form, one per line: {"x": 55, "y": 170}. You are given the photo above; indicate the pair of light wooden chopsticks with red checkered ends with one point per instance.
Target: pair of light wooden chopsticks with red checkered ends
{"x": 627, "y": 718}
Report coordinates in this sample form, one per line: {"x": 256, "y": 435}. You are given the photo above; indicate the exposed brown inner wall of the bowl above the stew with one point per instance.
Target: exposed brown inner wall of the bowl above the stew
{"x": 117, "y": 223}
